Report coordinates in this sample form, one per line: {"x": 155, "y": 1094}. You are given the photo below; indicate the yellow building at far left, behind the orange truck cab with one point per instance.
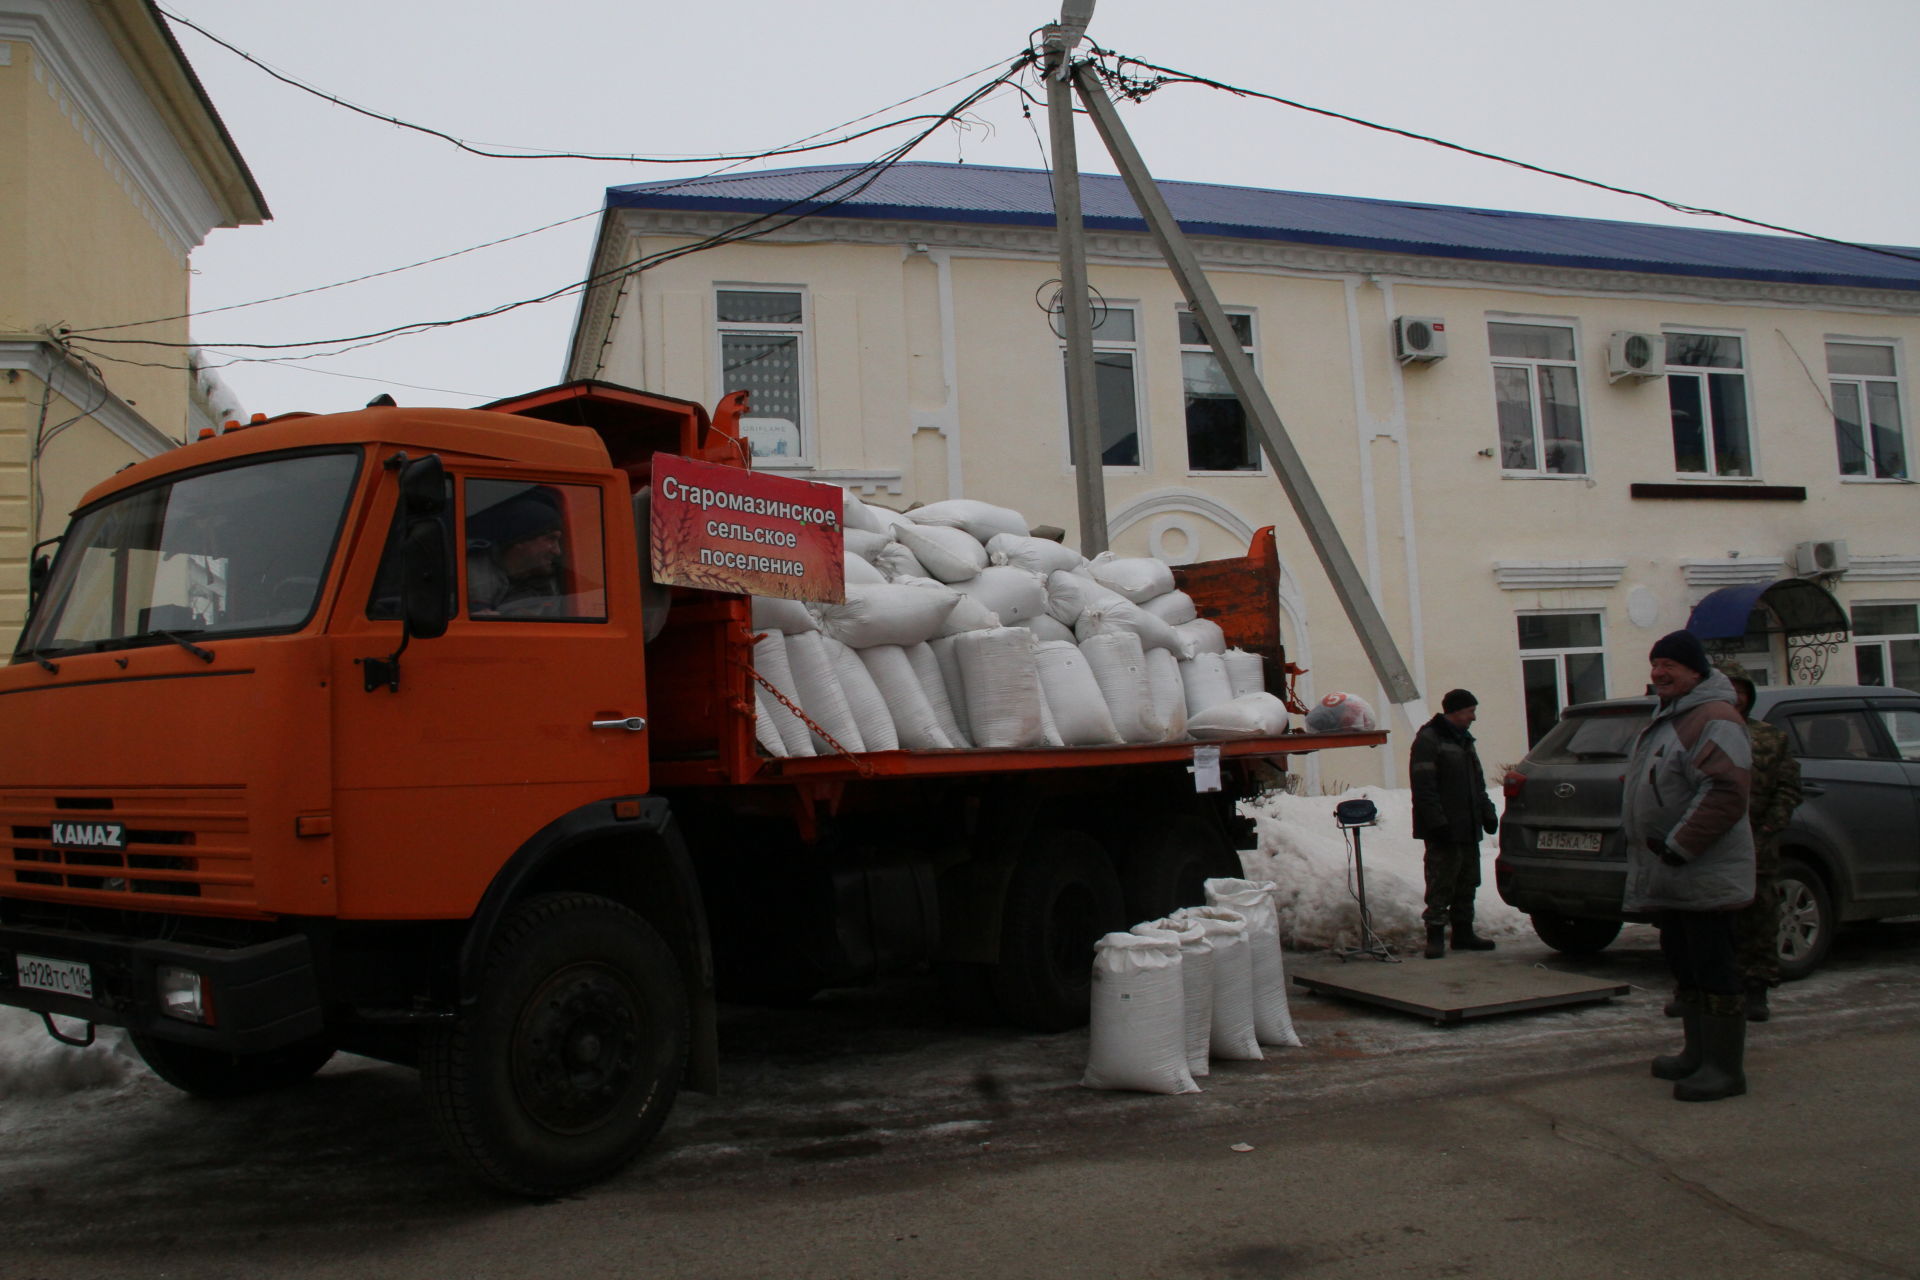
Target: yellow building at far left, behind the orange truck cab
{"x": 114, "y": 168}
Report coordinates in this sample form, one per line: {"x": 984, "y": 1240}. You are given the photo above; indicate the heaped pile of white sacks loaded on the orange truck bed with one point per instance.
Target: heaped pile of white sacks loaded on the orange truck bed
{"x": 961, "y": 630}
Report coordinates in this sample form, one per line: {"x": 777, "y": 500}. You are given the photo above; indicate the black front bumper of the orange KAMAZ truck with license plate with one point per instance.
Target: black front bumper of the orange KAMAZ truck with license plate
{"x": 258, "y": 997}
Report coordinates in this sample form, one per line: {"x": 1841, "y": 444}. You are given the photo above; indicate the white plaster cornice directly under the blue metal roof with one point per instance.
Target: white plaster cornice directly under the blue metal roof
{"x": 1126, "y": 249}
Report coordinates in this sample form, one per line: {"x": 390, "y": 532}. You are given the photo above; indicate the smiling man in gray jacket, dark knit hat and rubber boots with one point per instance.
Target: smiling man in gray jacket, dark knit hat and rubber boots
{"x": 1691, "y": 859}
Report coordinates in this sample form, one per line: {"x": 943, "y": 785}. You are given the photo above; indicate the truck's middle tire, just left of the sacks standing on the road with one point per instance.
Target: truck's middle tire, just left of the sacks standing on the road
{"x": 1061, "y": 901}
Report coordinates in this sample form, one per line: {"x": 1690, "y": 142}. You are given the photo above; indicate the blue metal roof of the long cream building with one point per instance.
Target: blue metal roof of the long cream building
{"x": 936, "y": 193}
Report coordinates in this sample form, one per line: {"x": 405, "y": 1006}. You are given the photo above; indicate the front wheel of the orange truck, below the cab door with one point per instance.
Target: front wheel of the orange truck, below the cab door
{"x": 571, "y": 1056}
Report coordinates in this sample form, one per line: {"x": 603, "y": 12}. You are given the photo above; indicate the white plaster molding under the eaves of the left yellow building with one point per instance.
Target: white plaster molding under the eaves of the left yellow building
{"x": 80, "y": 66}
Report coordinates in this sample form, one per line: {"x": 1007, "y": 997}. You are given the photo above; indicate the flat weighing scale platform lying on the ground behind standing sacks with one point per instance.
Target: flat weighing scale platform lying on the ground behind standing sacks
{"x": 1454, "y": 989}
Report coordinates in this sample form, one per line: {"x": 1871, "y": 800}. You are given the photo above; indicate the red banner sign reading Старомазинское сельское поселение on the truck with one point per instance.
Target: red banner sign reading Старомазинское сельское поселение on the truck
{"x": 725, "y": 529}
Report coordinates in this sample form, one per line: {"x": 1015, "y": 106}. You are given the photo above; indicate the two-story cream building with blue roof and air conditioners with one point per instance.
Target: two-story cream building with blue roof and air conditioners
{"x": 1545, "y": 439}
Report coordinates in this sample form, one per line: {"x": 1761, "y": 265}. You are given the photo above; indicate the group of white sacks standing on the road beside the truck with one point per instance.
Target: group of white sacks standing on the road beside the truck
{"x": 1172, "y": 995}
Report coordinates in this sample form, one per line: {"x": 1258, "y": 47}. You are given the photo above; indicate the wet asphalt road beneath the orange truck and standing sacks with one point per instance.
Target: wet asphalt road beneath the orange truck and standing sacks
{"x": 869, "y": 1135}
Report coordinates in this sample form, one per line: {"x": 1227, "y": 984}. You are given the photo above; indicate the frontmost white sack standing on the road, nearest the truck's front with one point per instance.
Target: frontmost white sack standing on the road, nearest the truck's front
{"x": 1138, "y": 1024}
